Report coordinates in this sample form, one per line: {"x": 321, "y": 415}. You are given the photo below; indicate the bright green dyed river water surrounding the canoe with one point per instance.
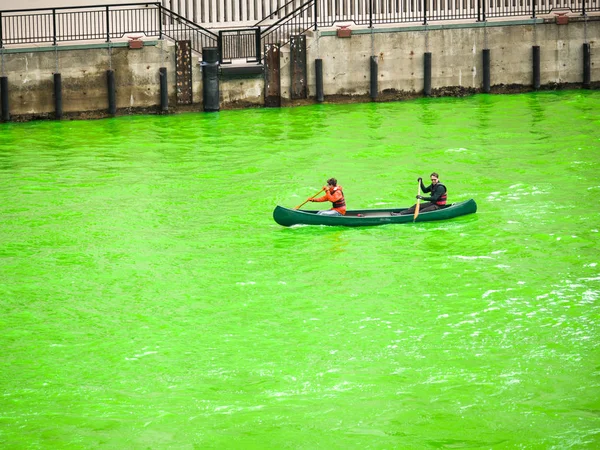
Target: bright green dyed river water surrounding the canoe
{"x": 149, "y": 301}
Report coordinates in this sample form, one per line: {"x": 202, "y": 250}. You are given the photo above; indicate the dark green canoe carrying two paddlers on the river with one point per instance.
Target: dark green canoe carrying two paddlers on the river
{"x": 369, "y": 217}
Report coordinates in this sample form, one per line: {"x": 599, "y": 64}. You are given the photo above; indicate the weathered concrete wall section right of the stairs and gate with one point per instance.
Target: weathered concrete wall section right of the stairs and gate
{"x": 456, "y": 57}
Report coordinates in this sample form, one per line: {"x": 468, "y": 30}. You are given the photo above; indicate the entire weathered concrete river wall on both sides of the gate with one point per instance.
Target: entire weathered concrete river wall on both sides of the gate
{"x": 456, "y": 68}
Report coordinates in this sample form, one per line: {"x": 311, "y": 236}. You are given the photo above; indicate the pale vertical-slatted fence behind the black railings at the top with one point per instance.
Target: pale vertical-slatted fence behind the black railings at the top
{"x": 239, "y": 14}
